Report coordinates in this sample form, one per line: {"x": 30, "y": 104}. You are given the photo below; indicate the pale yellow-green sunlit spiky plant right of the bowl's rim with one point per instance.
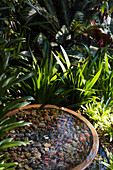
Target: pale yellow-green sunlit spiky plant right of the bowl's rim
{"x": 101, "y": 114}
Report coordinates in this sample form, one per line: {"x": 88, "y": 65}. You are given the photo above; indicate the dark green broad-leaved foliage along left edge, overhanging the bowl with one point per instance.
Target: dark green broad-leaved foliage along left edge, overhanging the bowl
{"x": 9, "y": 76}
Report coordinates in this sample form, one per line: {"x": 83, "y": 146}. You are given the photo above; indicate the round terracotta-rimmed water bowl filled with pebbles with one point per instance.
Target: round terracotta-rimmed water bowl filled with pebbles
{"x": 61, "y": 139}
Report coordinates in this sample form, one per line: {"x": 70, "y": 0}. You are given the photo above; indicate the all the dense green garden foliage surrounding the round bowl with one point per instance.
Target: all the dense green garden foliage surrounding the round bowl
{"x": 56, "y": 52}
